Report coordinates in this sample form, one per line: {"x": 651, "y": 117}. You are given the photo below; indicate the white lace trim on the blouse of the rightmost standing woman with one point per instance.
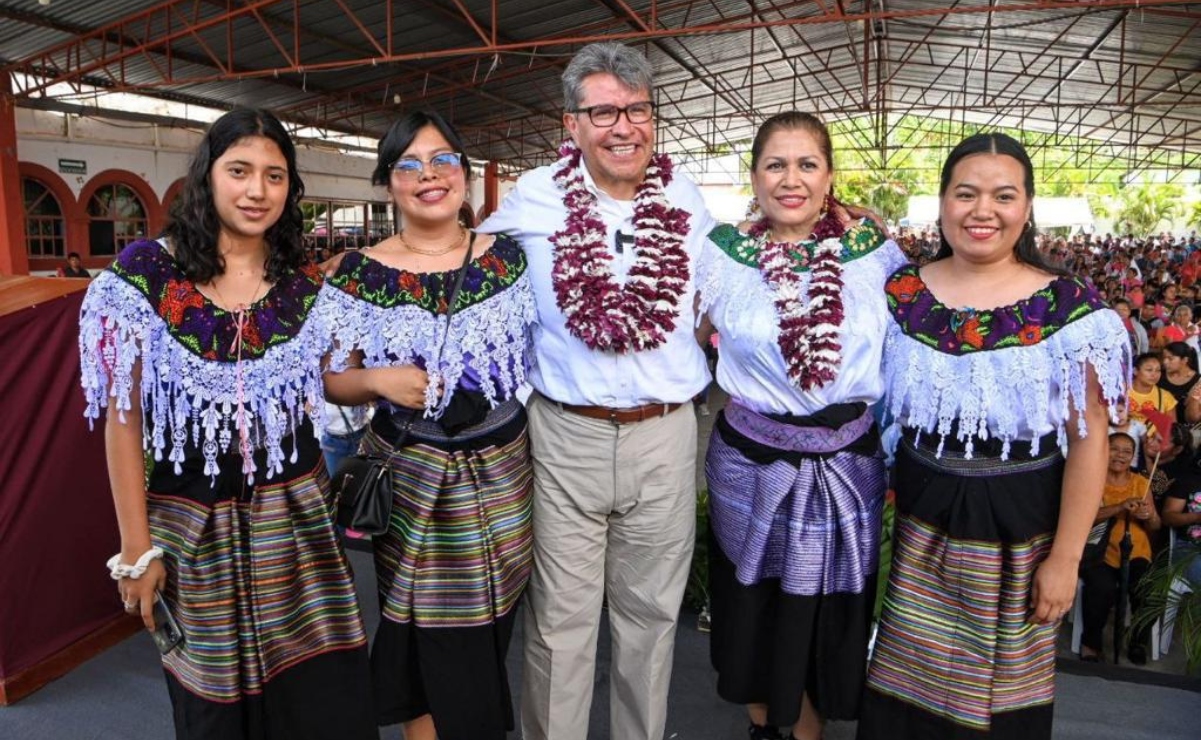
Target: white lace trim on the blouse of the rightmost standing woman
{"x": 1017, "y": 393}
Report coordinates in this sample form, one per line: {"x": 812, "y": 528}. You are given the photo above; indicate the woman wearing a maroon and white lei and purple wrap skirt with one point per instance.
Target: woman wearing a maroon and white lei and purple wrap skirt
{"x": 796, "y": 478}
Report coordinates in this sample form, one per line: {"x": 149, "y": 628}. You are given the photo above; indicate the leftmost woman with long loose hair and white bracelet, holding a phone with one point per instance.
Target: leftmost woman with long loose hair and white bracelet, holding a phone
{"x": 204, "y": 348}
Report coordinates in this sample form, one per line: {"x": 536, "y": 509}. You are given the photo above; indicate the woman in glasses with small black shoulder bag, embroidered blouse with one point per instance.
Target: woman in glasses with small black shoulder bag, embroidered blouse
{"x": 457, "y": 556}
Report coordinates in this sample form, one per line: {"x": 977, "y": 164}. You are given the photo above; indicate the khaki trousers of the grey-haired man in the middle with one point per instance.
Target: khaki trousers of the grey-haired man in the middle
{"x": 614, "y": 511}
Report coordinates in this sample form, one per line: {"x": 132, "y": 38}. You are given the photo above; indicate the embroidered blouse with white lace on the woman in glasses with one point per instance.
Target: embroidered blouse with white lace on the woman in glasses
{"x": 398, "y": 318}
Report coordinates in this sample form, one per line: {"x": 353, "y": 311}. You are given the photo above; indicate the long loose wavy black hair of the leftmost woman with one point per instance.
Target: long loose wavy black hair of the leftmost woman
{"x": 194, "y": 226}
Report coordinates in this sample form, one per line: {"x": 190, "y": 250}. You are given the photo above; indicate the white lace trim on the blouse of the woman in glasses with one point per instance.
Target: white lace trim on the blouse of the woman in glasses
{"x": 491, "y": 337}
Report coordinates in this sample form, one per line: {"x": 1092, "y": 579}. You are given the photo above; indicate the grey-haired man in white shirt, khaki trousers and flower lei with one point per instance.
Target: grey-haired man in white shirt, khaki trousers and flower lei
{"x": 613, "y": 434}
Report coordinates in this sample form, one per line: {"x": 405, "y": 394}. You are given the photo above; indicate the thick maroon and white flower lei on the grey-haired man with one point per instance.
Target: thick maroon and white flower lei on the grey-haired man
{"x": 601, "y": 313}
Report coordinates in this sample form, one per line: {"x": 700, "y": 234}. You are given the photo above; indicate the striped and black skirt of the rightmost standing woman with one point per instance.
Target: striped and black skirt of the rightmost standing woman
{"x": 957, "y": 655}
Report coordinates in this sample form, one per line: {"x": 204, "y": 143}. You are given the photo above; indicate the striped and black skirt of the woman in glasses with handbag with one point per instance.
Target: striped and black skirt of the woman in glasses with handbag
{"x": 451, "y": 572}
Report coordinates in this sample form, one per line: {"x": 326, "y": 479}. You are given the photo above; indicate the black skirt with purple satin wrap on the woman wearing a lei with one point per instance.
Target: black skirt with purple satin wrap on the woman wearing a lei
{"x": 773, "y": 646}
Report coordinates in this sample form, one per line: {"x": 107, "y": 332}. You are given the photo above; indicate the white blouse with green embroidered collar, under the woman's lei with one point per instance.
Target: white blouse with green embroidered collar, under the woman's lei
{"x": 740, "y": 306}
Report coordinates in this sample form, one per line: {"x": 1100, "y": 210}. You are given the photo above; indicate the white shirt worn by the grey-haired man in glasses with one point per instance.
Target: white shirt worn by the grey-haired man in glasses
{"x": 565, "y": 368}
